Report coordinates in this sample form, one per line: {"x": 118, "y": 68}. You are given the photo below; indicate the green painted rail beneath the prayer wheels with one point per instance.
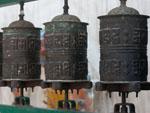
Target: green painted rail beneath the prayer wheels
{"x": 12, "y": 109}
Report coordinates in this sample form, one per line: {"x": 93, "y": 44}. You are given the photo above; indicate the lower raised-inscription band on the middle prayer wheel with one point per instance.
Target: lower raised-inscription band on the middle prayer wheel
{"x": 66, "y": 71}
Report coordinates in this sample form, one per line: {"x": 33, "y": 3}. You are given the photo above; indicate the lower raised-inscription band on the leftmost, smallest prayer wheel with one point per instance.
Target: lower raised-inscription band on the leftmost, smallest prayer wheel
{"x": 21, "y": 71}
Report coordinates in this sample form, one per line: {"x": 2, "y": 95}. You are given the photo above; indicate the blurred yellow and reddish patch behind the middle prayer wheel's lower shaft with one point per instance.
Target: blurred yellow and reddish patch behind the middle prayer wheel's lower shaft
{"x": 83, "y": 101}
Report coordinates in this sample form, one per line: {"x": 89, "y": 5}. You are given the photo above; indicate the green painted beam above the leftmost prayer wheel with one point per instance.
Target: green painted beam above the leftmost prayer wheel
{"x": 12, "y": 2}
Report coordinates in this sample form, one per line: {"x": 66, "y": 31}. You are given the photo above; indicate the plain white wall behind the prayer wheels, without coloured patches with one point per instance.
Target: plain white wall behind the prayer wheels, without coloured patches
{"x": 87, "y": 10}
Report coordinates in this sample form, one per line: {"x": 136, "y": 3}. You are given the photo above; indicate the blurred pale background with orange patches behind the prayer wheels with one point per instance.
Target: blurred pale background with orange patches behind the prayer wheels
{"x": 43, "y": 11}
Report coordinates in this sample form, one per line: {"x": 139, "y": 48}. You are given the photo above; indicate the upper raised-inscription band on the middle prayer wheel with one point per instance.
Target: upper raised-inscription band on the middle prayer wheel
{"x": 66, "y": 40}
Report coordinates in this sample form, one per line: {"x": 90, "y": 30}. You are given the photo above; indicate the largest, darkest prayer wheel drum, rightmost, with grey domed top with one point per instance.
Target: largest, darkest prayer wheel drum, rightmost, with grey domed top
{"x": 123, "y": 40}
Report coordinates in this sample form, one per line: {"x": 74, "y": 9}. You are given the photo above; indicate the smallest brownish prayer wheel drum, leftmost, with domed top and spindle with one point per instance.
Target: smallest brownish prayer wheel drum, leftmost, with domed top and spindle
{"x": 21, "y": 47}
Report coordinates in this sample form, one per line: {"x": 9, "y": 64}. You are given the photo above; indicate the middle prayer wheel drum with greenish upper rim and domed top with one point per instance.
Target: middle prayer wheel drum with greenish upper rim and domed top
{"x": 66, "y": 45}
